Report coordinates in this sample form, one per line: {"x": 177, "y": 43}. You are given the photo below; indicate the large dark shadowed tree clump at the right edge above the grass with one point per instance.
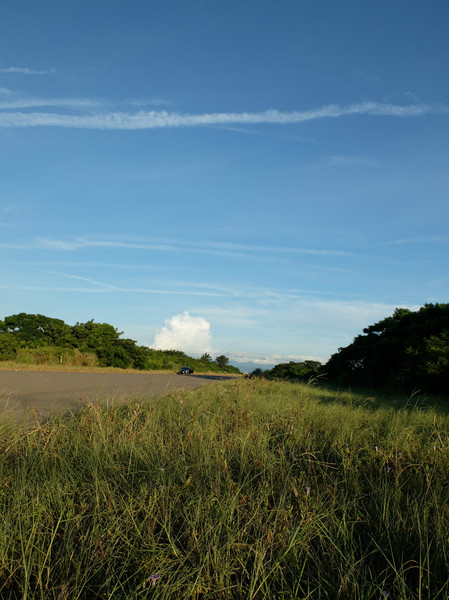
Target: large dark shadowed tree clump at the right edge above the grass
{"x": 408, "y": 350}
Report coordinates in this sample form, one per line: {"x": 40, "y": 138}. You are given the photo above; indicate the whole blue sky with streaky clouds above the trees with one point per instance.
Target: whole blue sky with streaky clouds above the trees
{"x": 259, "y": 179}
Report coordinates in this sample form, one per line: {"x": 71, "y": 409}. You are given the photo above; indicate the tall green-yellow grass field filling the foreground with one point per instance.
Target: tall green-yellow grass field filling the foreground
{"x": 245, "y": 489}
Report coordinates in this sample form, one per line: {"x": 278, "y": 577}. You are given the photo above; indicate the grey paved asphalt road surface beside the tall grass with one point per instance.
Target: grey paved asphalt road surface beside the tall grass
{"x": 22, "y": 392}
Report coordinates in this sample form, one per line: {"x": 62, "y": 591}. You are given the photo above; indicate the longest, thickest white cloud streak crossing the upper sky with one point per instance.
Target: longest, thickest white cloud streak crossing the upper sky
{"x": 164, "y": 119}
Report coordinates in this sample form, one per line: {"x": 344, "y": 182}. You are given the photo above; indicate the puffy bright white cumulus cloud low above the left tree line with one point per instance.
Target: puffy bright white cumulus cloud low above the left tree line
{"x": 183, "y": 332}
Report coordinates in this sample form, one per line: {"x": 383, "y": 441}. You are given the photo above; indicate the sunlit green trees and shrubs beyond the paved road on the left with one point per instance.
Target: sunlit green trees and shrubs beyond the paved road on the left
{"x": 37, "y": 339}
